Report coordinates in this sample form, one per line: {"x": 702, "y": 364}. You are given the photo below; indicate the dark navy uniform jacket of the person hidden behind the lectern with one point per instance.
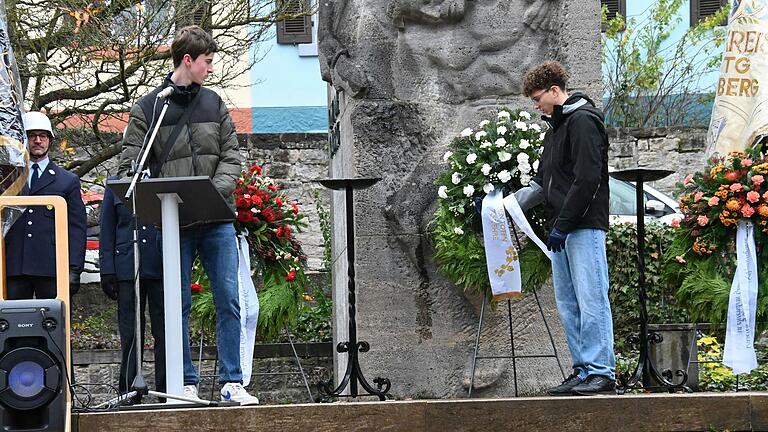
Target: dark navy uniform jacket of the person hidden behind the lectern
{"x": 116, "y": 243}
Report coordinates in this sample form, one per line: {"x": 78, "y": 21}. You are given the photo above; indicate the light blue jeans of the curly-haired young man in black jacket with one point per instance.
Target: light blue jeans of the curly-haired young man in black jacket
{"x": 580, "y": 277}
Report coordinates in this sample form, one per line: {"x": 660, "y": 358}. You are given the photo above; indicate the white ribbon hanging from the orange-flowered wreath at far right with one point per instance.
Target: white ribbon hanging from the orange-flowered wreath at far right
{"x": 739, "y": 353}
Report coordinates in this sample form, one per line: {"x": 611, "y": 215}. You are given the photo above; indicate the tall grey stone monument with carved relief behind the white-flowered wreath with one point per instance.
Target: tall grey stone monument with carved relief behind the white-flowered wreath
{"x": 405, "y": 76}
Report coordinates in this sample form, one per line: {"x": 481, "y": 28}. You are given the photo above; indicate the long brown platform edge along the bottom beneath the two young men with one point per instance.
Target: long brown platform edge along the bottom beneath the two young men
{"x": 644, "y": 412}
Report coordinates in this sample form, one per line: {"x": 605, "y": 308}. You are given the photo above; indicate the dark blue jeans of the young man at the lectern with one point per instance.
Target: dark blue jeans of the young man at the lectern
{"x": 216, "y": 245}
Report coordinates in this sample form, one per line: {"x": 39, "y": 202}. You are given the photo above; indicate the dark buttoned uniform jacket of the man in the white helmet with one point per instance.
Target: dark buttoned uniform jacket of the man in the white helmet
{"x": 30, "y": 243}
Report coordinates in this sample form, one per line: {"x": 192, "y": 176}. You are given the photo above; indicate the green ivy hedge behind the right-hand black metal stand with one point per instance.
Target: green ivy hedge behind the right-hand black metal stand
{"x": 662, "y": 306}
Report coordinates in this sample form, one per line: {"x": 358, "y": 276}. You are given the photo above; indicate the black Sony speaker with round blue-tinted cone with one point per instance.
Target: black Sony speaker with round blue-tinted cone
{"x": 33, "y": 365}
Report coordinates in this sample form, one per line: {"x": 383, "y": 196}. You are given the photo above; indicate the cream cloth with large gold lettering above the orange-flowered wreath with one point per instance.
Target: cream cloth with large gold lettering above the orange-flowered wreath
{"x": 740, "y": 113}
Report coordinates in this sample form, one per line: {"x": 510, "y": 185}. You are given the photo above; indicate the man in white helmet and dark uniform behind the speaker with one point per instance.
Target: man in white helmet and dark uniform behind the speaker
{"x": 30, "y": 253}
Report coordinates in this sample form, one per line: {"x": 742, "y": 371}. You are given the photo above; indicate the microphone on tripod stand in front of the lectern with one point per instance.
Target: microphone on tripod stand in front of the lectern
{"x": 139, "y": 385}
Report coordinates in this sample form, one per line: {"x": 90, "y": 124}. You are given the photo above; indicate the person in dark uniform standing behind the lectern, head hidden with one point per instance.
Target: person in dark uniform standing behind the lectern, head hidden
{"x": 116, "y": 265}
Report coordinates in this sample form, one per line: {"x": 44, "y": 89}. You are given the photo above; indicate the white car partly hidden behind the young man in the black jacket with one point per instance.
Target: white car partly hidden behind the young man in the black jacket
{"x": 659, "y": 206}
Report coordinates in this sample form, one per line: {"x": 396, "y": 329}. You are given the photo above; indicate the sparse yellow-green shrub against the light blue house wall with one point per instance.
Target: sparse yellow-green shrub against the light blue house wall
{"x": 652, "y": 80}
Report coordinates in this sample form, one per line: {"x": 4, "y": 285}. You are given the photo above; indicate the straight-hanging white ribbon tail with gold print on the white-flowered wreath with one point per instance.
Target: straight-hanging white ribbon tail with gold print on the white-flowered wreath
{"x": 501, "y": 255}
